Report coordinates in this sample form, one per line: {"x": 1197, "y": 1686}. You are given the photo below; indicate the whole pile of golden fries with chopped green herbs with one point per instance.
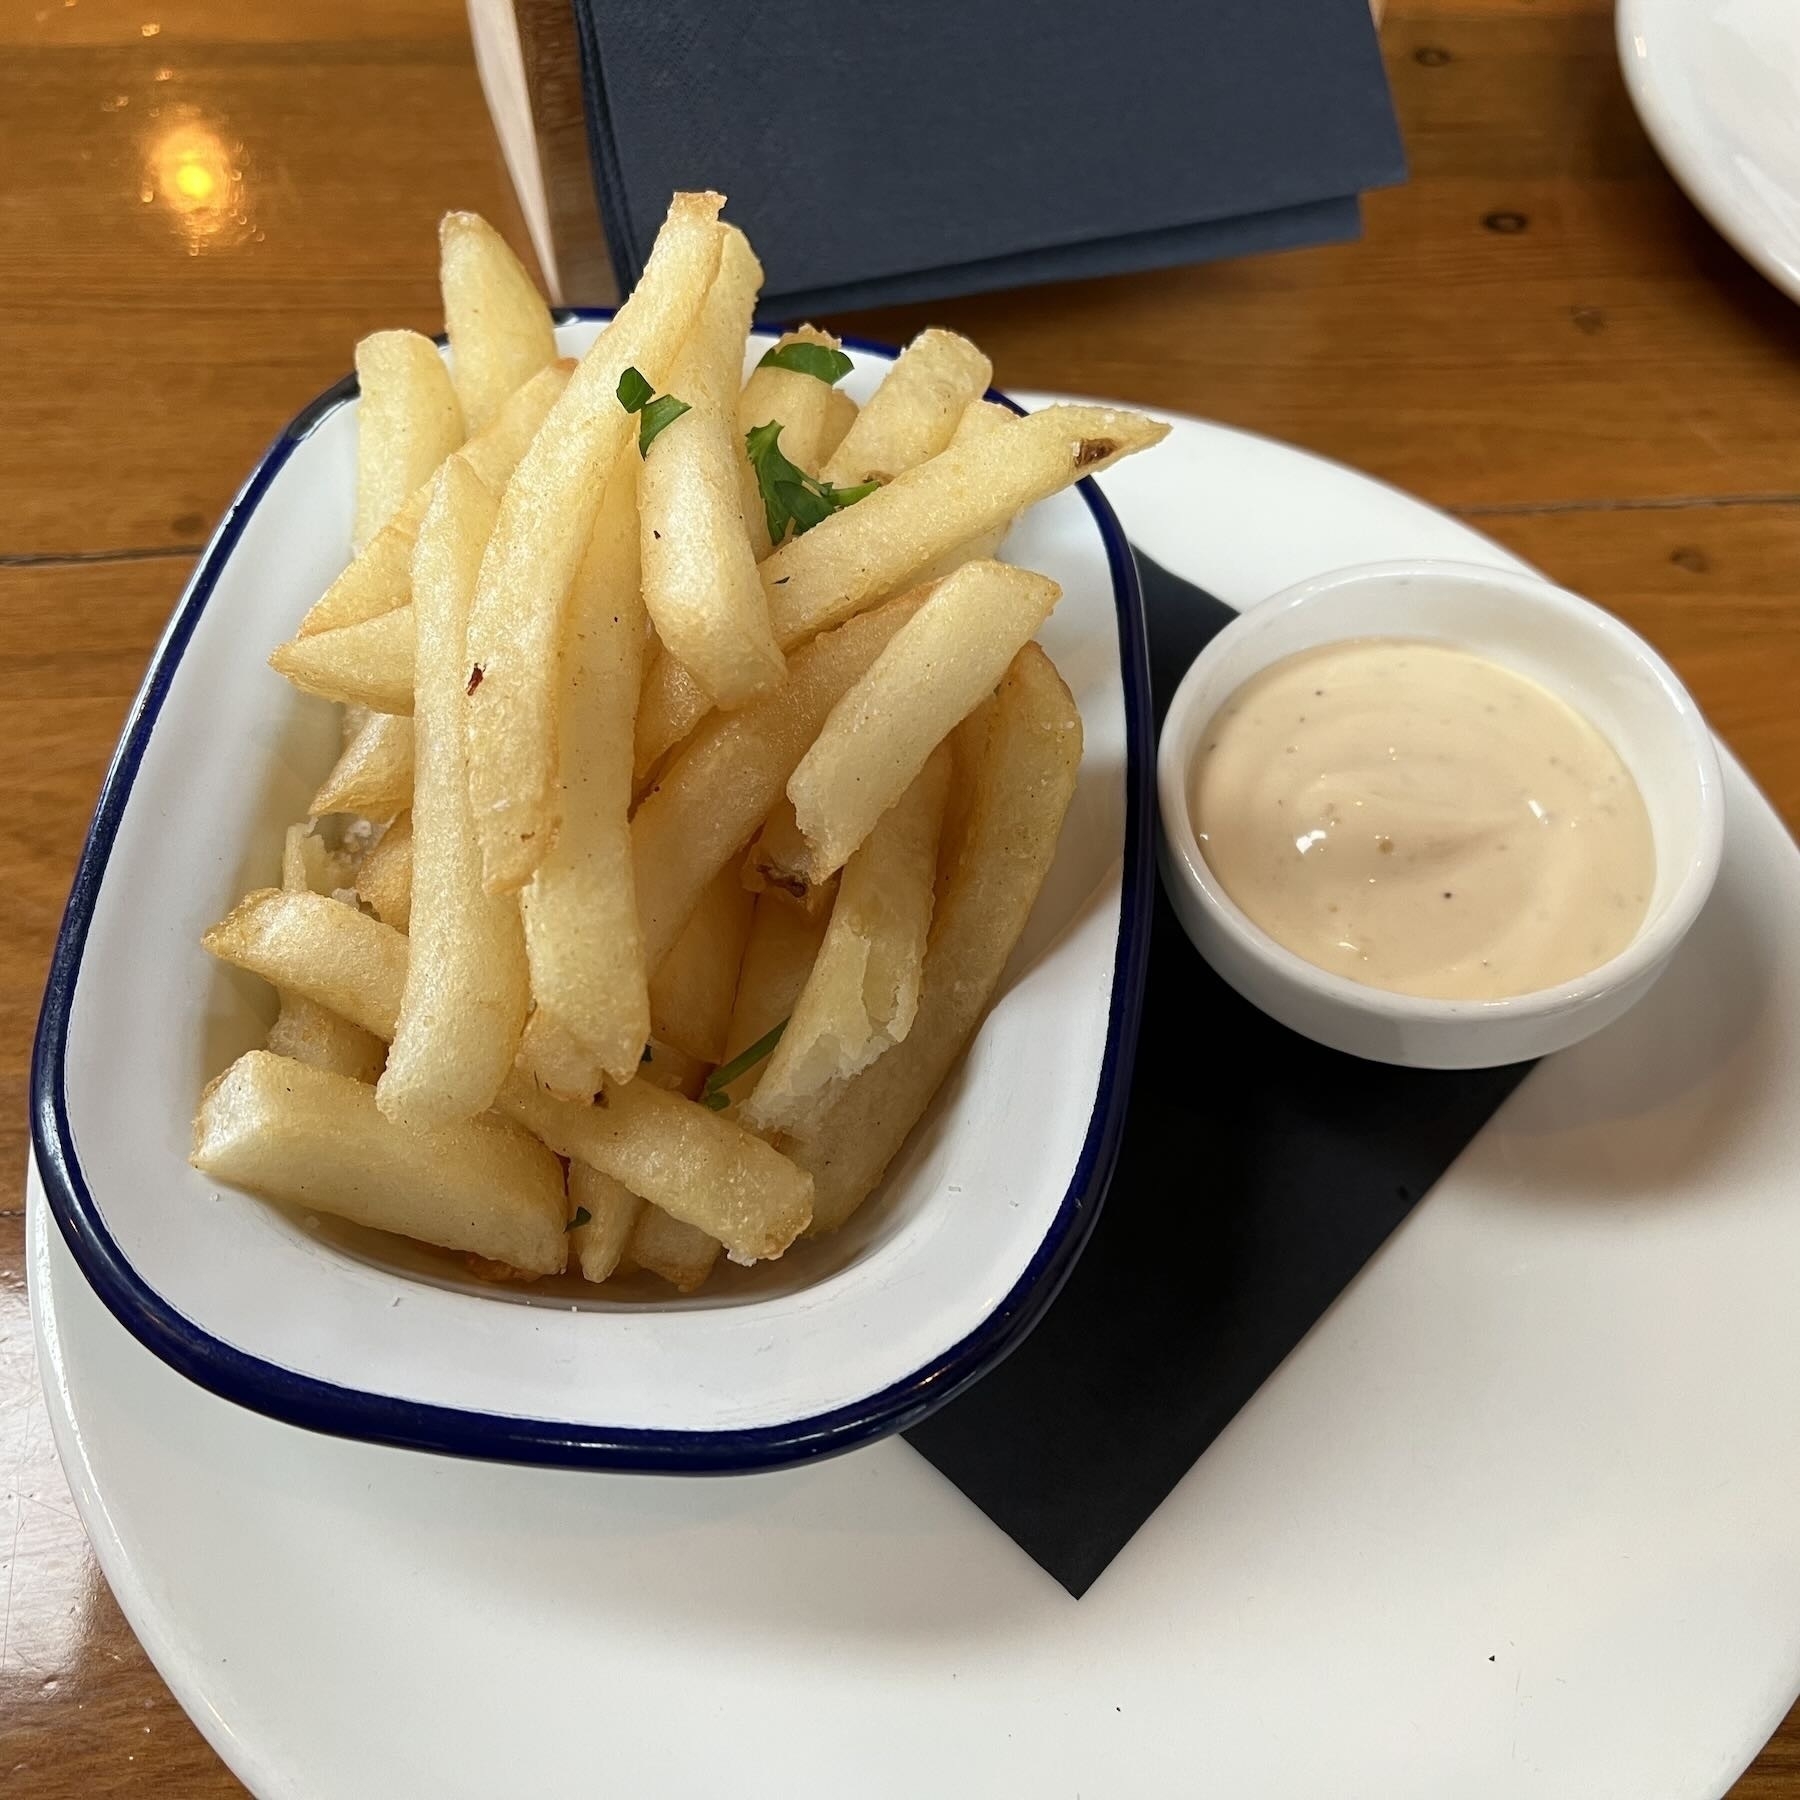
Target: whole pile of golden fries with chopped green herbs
{"x": 699, "y": 775}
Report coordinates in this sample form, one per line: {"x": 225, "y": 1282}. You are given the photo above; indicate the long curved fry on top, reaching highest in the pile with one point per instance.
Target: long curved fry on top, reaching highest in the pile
{"x": 546, "y": 519}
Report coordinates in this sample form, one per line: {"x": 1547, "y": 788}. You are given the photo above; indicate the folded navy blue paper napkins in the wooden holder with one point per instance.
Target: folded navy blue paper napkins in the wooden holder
{"x": 904, "y": 152}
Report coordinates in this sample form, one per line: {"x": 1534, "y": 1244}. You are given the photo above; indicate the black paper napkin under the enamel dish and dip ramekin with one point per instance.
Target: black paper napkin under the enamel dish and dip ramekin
{"x": 1259, "y": 1174}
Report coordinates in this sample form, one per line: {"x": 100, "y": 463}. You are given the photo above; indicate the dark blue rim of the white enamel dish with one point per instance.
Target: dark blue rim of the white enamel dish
{"x": 445, "y": 1430}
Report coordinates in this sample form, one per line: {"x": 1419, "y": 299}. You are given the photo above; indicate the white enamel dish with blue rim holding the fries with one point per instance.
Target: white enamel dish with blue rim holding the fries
{"x": 836, "y": 1344}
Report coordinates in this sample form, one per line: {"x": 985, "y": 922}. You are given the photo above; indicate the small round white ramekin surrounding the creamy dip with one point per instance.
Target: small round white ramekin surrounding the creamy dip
{"x": 1525, "y": 624}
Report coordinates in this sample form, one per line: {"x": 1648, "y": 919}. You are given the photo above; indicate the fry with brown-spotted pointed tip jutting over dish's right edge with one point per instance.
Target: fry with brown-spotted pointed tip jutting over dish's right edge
{"x": 877, "y": 546}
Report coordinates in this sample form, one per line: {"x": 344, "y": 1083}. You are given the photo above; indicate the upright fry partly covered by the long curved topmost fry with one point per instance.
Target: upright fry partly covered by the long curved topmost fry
{"x": 580, "y": 908}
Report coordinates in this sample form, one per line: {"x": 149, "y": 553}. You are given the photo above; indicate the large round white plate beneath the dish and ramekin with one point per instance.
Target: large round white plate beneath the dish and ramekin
{"x": 1516, "y": 1520}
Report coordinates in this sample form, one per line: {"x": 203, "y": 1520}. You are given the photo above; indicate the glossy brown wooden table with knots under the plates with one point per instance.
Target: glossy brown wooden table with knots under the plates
{"x": 1538, "y": 334}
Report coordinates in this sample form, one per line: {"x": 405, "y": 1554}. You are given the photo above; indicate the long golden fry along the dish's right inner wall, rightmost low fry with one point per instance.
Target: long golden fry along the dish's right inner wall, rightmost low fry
{"x": 1023, "y": 795}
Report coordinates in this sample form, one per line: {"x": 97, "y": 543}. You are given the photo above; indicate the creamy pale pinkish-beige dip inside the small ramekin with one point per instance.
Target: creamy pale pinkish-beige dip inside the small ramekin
{"x": 1421, "y": 820}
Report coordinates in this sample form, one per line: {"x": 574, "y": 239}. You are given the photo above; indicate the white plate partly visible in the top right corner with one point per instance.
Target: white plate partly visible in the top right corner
{"x": 1718, "y": 87}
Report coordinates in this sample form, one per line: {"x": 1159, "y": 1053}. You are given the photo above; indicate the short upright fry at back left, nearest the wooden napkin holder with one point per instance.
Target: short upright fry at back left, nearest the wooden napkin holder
{"x": 496, "y": 319}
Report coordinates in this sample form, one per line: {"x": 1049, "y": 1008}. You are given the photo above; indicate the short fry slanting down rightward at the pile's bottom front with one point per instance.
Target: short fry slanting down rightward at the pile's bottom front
{"x": 685, "y": 1158}
